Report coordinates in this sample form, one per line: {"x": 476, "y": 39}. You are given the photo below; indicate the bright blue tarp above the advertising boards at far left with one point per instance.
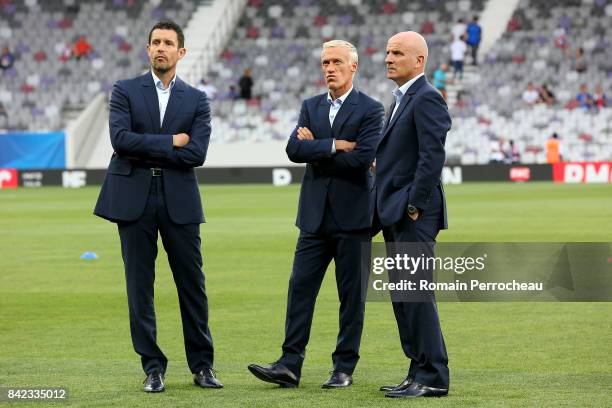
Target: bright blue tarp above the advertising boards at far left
{"x": 33, "y": 150}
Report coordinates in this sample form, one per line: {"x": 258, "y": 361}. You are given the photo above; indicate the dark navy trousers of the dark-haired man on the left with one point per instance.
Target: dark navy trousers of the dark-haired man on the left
{"x": 139, "y": 250}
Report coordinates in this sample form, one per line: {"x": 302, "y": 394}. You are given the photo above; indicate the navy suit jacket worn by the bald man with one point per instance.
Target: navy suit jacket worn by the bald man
{"x": 410, "y": 156}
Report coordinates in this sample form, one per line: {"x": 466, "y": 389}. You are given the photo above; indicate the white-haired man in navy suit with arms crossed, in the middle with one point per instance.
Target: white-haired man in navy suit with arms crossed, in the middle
{"x": 336, "y": 135}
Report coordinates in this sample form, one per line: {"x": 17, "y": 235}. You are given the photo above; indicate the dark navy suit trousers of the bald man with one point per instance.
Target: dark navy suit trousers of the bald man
{"x": 418, "y": 322}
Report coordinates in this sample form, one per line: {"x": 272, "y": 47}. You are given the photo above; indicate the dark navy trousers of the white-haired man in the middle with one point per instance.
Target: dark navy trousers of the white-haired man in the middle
{"x": 313, "y": 254}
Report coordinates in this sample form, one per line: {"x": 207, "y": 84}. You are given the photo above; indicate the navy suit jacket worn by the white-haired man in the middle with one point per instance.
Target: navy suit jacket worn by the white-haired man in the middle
{"x": 344, "y": 179}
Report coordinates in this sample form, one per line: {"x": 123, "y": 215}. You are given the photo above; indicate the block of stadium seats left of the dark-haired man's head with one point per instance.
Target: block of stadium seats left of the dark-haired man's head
{"x": 39, "y": 87}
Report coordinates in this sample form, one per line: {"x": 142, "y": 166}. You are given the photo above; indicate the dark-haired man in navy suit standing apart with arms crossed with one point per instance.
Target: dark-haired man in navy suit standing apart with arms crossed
{"x": 160, "y": 129}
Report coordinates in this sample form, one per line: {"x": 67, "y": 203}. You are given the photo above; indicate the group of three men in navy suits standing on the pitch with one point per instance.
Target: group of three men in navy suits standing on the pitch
{"x": 160, "y": 130}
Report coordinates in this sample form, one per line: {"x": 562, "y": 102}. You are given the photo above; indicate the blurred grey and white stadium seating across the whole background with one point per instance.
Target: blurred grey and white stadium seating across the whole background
{"x": 280, "y": 41}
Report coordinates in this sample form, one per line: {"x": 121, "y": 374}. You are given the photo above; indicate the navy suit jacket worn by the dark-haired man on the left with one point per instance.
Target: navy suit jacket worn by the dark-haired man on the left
{"x": 141, "y": 142}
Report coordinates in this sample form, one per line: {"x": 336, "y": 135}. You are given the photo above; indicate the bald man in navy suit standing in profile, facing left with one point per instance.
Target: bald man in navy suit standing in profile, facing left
{"x": 410, "y": 203}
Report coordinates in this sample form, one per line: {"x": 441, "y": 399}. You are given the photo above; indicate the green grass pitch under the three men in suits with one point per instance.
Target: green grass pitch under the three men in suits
{"x": 64, "y": 321}
